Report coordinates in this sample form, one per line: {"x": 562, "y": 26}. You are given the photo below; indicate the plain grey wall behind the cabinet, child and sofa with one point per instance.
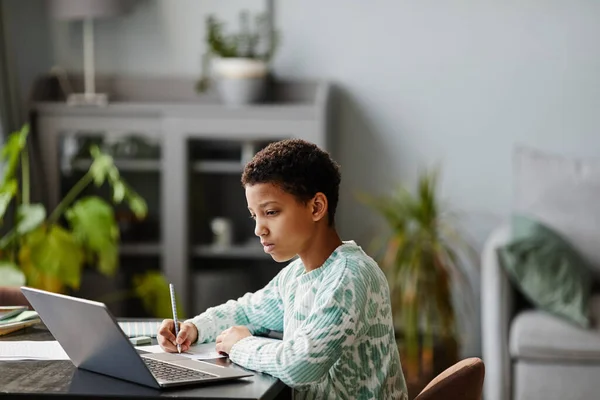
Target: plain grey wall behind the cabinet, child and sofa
{"x": 422, "y": 82}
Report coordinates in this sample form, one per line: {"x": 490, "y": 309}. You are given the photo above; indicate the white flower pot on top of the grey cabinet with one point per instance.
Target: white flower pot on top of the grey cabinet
{"x": 240, "y": 81}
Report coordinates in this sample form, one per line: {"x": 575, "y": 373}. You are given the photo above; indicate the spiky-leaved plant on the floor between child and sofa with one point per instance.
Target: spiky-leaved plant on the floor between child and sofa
{"x": 422, "y": 256}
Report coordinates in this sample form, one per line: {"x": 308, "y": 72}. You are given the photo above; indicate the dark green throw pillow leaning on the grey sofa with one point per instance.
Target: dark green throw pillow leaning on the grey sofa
{"x": 547, "y": 270}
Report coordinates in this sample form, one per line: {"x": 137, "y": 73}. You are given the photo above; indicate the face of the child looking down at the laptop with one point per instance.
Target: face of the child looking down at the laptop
{"x": 283, "y": 224}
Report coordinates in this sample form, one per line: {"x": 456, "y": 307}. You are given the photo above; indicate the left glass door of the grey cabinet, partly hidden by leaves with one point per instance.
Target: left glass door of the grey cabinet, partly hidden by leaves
{"x": 137, "y": 156}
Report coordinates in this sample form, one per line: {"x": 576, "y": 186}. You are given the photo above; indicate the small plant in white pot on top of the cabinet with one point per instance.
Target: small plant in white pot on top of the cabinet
{"x": 239, "y": 61}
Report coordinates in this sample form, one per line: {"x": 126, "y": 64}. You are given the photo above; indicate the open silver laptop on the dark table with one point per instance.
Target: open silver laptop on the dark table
{"x": 93, "y": 340}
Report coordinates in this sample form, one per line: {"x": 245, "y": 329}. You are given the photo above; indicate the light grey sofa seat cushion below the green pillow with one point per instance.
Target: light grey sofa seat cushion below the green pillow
{"x": 538, "y": 335}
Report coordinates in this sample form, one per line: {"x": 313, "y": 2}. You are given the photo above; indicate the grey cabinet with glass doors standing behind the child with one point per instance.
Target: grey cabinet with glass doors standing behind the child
{"x": 184, "y": 154}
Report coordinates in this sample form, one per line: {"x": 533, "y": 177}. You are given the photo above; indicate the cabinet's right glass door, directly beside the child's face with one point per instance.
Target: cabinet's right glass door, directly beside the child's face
{"x": 227, "y": 259}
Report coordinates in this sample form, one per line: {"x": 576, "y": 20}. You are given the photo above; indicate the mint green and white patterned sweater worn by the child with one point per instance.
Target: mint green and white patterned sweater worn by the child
{"x": 338, "y": 340}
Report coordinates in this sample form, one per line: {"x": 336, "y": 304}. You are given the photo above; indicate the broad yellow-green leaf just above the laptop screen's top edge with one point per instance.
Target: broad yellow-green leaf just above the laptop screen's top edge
{"x": 54, "y": 251}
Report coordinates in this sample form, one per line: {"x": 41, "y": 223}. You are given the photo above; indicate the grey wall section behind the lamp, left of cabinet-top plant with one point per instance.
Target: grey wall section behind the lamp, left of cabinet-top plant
{"x": 158, "y": 37}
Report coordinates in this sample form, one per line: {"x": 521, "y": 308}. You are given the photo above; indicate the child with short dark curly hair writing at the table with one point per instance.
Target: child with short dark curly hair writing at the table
{"x": 332, "y": 303}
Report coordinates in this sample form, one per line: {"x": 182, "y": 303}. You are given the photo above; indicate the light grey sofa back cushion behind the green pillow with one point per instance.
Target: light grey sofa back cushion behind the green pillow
{"x": 562, "y": 193}
